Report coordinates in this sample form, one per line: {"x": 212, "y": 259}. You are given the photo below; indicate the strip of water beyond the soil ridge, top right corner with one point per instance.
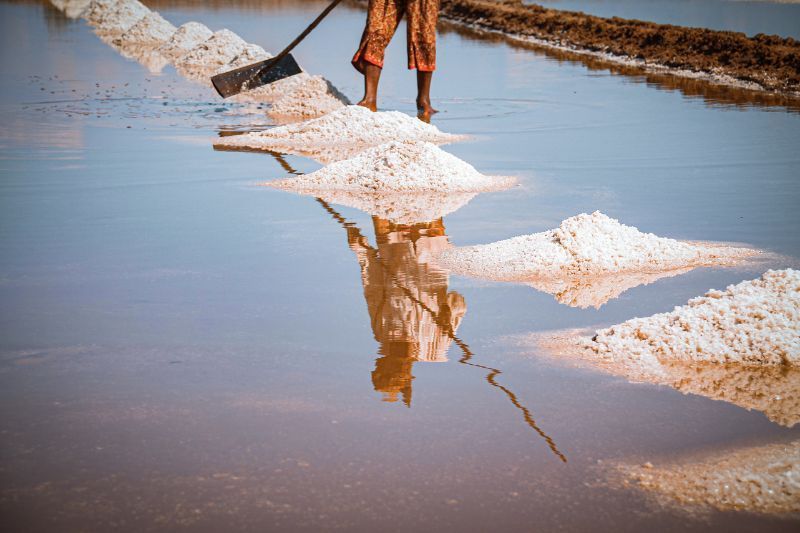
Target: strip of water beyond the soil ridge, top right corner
{"x": 747, "y": 16}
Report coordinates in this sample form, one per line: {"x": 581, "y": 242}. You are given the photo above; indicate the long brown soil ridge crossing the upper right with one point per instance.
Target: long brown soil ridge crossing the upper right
{"x": 767, "y": 61}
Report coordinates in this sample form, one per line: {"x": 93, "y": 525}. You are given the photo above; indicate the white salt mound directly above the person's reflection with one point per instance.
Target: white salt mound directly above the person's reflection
{"x": 407, "y": 166}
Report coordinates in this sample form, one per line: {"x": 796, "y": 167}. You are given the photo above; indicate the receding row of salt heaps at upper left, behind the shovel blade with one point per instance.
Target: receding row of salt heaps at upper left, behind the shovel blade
{"x": 197, "y": 54}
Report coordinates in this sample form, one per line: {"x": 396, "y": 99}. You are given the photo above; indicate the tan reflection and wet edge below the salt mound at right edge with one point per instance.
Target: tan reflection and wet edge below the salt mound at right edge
{"x": 771, "y": 389}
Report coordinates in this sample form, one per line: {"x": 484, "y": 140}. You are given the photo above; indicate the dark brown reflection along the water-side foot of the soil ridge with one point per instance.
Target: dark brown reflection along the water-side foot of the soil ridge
{"x": 711, "y": 93}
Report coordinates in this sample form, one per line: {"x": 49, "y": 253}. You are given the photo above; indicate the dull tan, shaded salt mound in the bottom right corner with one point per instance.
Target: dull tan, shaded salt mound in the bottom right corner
{"x": 764, "y": 479}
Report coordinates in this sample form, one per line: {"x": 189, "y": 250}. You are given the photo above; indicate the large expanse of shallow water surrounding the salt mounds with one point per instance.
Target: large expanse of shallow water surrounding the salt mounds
{"x": 183, "y": 348}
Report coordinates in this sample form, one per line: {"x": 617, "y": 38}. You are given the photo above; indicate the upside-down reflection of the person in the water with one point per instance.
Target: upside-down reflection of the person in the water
{"x": 413, "y": 316}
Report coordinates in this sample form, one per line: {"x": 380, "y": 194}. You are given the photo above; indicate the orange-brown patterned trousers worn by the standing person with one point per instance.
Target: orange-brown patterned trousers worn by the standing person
{"x": 383, "y": 17}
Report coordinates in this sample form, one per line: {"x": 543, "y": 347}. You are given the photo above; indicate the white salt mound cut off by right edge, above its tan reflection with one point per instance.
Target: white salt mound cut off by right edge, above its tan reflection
{"x": 754, "y": 322}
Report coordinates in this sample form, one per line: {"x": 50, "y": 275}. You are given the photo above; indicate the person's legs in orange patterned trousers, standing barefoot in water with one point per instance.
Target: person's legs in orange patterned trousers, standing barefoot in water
{"x": 383, "y": 17}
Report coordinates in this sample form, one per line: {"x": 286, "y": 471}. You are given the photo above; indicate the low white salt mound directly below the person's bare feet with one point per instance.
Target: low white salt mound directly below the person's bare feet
{"x": 340, "y": 134}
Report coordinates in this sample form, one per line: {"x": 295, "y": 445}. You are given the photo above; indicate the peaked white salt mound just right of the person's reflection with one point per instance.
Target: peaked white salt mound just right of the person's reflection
{"x": 583, "y": 245}
